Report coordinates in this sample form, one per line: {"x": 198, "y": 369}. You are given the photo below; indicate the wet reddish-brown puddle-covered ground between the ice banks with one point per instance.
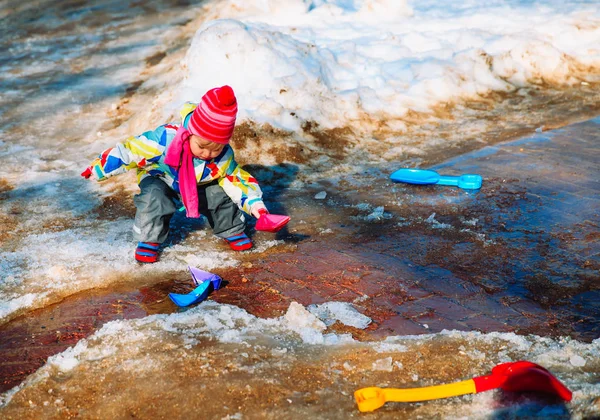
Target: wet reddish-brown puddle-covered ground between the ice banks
{"x": 520, "y": 255}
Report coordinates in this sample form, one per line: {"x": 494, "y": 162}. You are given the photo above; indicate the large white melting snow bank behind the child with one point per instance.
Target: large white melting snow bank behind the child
{"x": 349, "y": 63}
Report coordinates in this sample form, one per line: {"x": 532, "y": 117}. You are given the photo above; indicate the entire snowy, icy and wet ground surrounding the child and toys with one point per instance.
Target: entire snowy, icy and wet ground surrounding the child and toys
{"x": 343, "y": 97}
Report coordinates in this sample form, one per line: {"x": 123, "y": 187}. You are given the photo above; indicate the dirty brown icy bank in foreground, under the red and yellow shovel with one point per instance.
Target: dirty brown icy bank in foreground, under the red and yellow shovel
{"x": 216, "y": 361}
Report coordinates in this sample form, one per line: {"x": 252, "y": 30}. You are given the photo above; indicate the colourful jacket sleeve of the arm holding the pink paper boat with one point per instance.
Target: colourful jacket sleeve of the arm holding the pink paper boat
{"x": 240, "y": 186}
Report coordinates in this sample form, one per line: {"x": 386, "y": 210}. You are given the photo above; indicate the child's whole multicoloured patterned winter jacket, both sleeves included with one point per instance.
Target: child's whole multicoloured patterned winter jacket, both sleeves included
{"x": 146, "y": 153}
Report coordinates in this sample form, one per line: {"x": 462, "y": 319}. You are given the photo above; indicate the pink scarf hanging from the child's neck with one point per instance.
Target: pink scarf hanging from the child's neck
{"x": 179, "y": 156}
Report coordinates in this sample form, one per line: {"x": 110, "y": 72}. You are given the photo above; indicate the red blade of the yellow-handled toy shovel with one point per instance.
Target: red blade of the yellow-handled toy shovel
{"x": 522, "y": 376}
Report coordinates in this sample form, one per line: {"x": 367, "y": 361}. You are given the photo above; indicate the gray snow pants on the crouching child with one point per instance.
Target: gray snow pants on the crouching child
{"x": 156, "y": 204}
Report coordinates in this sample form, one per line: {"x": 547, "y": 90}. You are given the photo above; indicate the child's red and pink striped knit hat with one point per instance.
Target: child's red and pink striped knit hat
{"x": 214, "y": 118}
